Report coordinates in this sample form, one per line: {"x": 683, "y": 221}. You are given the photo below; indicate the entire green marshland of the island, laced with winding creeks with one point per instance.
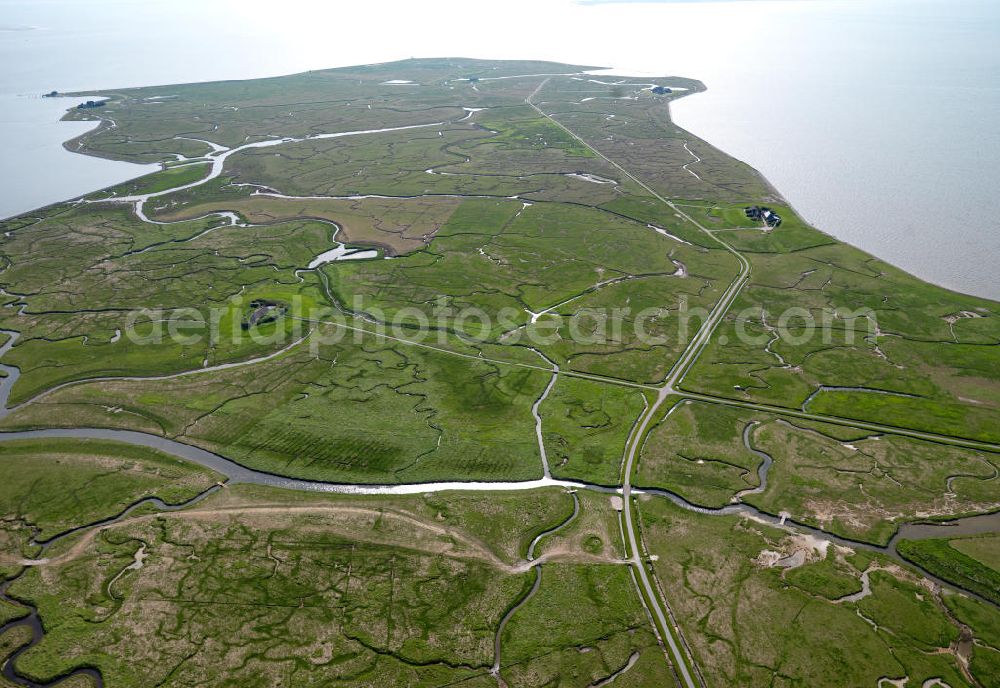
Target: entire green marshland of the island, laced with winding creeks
{"x": 539, "y": 220}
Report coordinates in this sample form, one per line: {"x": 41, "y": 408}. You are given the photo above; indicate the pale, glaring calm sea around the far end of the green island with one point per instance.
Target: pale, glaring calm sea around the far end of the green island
{"x": 878, "y": 119}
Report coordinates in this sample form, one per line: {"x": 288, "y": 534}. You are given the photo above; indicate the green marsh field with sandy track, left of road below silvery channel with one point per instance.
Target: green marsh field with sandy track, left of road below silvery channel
{"x": 347, "y": 589}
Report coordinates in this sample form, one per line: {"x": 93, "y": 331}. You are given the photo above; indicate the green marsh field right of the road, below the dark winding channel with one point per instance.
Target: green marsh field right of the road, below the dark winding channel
{"x": 748, "y": 622}
